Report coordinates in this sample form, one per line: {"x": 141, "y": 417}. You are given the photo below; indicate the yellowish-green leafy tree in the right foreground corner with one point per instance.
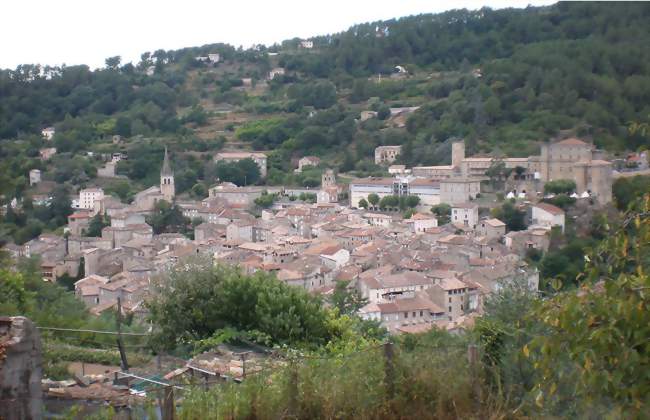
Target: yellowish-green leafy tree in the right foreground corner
{"x": 595, "y": 356}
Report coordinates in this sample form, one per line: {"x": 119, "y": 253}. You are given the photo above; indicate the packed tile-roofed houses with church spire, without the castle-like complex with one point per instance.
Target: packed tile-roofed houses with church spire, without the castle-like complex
{"x": 414, "y": 273}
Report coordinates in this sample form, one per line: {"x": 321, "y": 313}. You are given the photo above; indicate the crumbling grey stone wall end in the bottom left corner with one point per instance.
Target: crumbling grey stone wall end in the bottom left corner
{"x": 20, "y": 369}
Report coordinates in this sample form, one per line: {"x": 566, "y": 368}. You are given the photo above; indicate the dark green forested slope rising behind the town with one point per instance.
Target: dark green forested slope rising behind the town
{"x": 505, "y": 80}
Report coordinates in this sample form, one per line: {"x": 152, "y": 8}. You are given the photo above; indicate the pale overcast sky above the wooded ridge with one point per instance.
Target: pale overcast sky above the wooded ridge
{"x": 87, "y": 31}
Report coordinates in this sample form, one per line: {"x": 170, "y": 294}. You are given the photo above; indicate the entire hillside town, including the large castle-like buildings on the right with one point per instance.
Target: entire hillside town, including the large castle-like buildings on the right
{"x": 415, "y": 272}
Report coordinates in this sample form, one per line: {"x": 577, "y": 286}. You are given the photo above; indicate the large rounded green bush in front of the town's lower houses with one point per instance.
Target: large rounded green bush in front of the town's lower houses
{"x": 195, "y": 300}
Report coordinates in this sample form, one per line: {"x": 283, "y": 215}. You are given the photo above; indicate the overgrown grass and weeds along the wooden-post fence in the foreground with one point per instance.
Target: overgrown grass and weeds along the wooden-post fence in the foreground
{"x": 356, "y": 384}
